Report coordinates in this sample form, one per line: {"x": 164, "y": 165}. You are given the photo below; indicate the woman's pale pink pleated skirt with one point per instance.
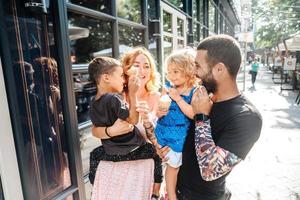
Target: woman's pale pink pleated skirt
{"x": 124, "y": 180}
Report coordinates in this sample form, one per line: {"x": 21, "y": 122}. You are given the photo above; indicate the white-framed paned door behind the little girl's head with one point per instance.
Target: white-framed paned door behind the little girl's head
{"x": 174, "y": 29}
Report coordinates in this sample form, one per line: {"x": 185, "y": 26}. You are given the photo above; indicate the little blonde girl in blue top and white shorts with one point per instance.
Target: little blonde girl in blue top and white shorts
{"x": 173, "y": 124}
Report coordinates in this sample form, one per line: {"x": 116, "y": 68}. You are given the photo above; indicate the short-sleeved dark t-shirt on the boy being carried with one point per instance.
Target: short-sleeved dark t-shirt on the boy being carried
{"x": 104, "y": 112}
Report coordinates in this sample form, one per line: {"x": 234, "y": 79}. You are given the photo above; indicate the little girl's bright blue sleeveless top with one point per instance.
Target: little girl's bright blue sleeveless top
{"x": 172, "y": 128}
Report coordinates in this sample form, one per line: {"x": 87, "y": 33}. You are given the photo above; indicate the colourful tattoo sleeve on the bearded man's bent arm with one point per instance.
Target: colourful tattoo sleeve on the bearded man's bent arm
{"x": 214, "y": 161}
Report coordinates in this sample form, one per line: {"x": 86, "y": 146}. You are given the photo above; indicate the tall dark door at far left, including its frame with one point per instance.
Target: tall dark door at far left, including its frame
{"x": 39, "y": 102}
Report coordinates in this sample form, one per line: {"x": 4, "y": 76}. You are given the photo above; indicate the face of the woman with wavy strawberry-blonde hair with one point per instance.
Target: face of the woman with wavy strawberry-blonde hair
{"x": 144, "y": 69}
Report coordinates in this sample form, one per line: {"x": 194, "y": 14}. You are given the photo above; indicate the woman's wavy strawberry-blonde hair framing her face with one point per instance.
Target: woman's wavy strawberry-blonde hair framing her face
{"x": 128, "y": 59}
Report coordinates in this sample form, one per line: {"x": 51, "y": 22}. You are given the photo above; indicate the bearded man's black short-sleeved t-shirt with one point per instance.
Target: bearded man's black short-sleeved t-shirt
{"x": 236, "y": 126}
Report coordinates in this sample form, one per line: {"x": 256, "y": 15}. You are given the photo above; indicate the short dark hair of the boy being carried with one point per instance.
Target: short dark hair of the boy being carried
{"x": 101, "y": 65}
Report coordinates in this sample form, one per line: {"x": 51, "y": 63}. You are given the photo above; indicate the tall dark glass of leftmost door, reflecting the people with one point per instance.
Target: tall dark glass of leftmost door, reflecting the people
{"x": 42, "y": 144}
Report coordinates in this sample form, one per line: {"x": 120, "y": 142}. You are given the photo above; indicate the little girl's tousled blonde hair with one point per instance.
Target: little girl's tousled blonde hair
{"x": 184, "y": 60}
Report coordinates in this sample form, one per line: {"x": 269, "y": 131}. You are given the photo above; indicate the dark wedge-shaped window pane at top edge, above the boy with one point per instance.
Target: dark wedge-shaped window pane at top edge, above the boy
{"x": 99, "y": 5}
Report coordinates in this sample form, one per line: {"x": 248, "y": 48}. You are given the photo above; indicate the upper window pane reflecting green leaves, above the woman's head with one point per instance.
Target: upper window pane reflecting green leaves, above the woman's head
{"x": 130, "y": 10}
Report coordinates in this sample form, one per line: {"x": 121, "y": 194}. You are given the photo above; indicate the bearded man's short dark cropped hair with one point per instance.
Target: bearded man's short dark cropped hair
{"x": 224, "y": 49}
